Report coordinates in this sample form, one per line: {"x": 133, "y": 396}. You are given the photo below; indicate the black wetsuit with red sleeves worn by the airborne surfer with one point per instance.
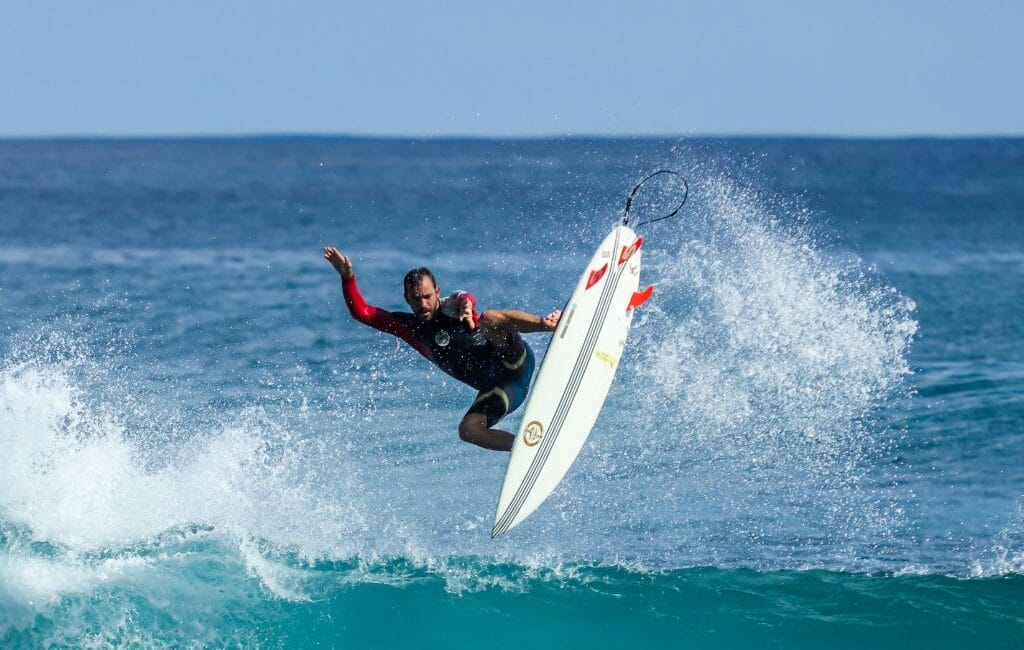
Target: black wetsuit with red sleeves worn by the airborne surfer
{"x": 501, "y": 374}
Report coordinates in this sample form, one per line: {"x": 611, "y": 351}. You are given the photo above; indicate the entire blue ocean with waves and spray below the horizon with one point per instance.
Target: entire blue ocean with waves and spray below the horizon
{"x": 816, "y": 438}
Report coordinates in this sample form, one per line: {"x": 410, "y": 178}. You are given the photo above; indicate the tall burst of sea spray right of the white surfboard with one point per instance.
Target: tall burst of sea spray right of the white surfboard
{"x": 758, "y": 369}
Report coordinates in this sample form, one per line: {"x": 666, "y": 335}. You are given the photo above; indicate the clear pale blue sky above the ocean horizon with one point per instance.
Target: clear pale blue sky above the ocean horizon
{"x": 180, "y": 68}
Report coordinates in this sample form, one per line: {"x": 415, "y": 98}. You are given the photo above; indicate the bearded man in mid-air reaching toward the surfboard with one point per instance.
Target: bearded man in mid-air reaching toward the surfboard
{"x": 485, "y": 352}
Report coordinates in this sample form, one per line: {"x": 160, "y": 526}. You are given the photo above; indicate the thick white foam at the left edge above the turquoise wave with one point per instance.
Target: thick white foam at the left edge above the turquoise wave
{"x": 73, "y": 475}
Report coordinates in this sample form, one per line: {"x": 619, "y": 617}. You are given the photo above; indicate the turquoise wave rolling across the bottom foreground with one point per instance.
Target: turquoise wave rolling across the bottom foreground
{"x": 198, "y": 587}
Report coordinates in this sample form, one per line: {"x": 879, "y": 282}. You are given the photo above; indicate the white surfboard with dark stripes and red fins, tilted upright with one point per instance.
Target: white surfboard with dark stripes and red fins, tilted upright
{"x": 575, "y": 377}
